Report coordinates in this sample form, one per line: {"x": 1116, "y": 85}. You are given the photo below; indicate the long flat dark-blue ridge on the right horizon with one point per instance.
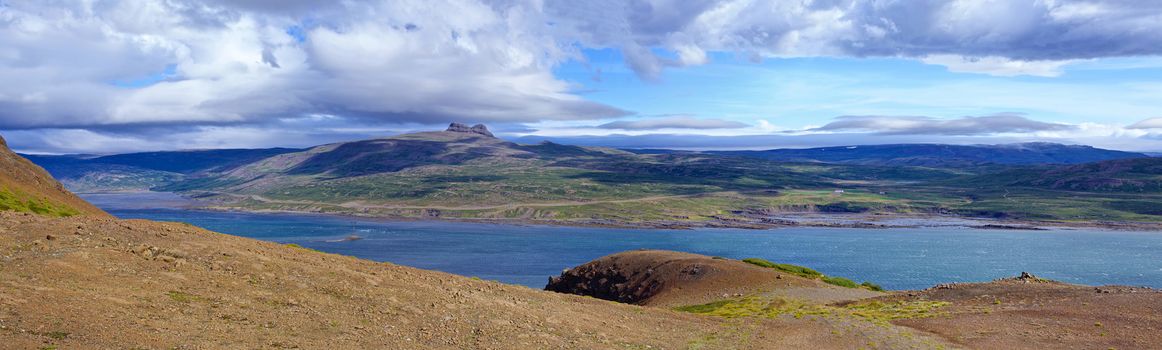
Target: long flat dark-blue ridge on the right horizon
{"x": 943, "y": 155}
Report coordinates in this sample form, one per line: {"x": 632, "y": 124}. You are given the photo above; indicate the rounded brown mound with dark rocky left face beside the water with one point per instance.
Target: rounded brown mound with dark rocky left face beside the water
{"x": 670, "y": 278}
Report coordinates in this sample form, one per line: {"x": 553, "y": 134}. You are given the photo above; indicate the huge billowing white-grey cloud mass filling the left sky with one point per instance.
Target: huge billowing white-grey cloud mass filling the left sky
{"x": 390, "y": 61}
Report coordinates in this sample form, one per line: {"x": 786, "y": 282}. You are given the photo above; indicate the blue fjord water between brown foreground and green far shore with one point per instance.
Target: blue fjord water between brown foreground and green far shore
{"x": 528, "y": 255}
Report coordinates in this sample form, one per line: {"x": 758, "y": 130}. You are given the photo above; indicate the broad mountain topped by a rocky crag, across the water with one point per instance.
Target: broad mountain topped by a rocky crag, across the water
{"x": 468, "y": 168}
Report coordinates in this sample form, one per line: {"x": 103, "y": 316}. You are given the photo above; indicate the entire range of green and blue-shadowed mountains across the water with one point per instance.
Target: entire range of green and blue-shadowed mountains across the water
{"x": 465, "y": 173}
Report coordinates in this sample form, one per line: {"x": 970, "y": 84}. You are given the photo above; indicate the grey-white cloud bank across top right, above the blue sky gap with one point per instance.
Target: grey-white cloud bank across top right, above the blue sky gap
{"x": 1032, "y": 38}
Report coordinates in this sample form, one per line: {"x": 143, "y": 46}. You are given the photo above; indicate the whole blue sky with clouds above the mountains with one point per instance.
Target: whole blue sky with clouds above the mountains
{"x": 103, "y": 77}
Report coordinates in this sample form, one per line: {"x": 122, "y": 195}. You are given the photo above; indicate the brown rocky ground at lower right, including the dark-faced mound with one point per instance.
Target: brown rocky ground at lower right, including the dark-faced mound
{"x": 1017, "y": 313}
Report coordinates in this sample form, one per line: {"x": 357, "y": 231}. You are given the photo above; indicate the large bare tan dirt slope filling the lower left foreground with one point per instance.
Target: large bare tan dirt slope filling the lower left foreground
{"x": 98, "y": 283}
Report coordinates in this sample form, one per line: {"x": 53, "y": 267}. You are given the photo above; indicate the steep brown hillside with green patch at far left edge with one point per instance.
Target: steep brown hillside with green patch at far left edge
{"x": 27, "y": 188}
